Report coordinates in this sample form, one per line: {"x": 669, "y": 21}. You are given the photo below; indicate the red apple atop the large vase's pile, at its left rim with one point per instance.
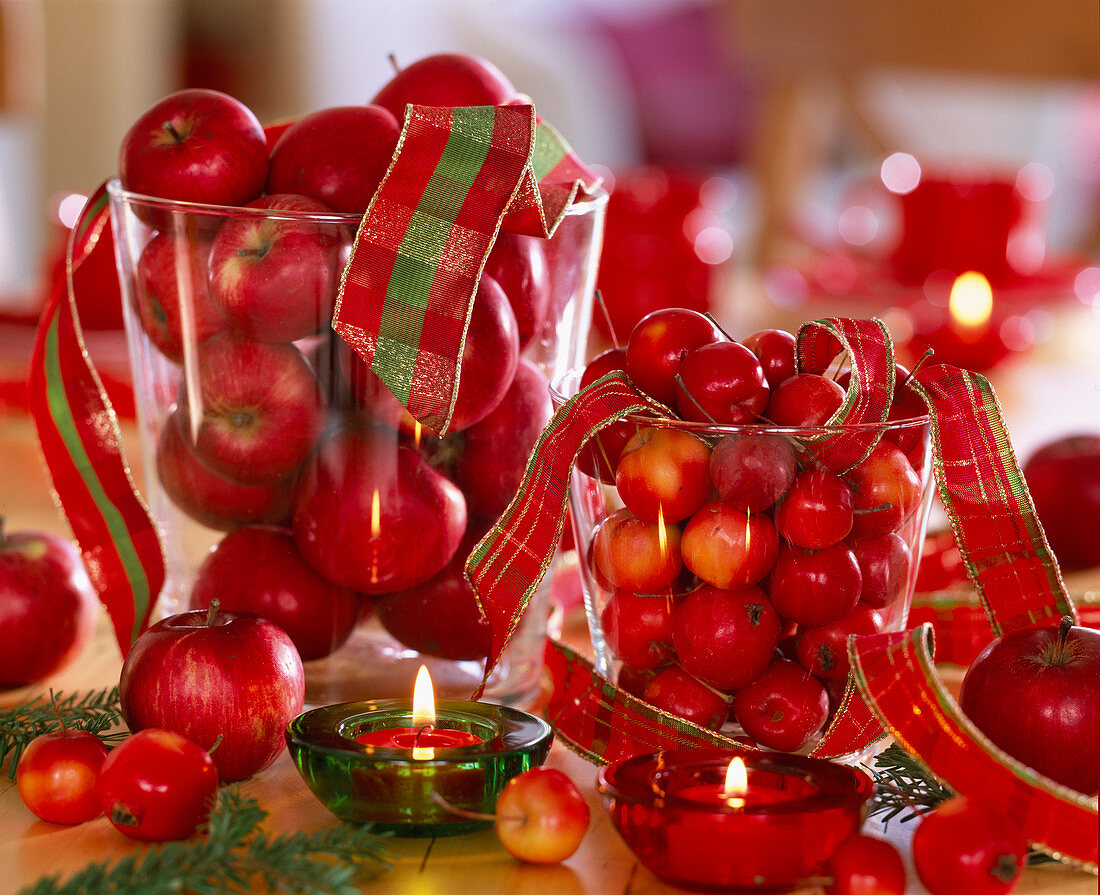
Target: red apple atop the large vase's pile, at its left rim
{"x": 196, "y": 146}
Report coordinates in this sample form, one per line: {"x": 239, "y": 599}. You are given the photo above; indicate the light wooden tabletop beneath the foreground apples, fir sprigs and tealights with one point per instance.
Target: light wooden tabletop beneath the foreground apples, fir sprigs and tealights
{"x": 603, "y": 866}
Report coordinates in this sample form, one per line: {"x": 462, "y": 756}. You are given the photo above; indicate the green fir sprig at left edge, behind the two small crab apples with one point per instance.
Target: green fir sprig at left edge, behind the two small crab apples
{"x": 96, "y": 712}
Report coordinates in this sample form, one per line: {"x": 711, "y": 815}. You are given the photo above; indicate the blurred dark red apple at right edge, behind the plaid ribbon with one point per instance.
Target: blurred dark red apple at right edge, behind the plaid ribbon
{"x": 1064, "y": 480}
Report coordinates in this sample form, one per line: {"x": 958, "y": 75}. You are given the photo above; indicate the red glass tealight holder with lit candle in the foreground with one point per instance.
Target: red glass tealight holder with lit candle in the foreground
{"x": 678, "y": 814}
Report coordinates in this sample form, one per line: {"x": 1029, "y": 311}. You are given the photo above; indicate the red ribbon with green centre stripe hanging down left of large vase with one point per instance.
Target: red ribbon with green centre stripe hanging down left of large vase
{"x": 81, "y": 443}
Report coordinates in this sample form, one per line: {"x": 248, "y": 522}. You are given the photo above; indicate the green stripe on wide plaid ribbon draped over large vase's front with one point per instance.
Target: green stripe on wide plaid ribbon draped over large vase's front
{"x": 424, "y": 244}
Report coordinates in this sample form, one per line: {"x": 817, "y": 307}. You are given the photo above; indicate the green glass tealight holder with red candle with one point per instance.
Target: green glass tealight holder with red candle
{"x": 414, "y": 792}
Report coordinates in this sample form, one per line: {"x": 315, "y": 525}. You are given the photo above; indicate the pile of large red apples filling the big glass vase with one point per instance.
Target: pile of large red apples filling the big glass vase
{"x": 279, "y": 434}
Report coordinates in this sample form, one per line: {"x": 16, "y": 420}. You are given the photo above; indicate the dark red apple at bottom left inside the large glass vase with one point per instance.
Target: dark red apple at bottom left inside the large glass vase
{"x": 258, "y": 569}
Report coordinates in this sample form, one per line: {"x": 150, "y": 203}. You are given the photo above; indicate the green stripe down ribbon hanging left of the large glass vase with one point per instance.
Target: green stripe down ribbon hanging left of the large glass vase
{"x": 62, "y": 415}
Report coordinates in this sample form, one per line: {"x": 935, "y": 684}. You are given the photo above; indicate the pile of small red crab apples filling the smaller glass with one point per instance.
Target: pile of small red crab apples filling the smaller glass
{"x": 731, "y": 566}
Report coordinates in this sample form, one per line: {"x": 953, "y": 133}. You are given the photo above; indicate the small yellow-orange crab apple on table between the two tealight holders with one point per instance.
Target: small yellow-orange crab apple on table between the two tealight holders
{"x": 542, "y": 816}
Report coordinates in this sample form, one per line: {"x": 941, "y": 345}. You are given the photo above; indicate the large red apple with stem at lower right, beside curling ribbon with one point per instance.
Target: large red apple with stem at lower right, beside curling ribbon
{"x": 1036, "y": 693}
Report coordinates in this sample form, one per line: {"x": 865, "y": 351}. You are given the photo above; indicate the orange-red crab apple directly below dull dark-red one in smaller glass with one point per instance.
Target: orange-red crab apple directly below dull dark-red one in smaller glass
{"x": 729, "y": 548}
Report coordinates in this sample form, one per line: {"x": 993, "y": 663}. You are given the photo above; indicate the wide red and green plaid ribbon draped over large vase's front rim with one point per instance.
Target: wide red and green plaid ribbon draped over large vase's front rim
{"x": 409, "y": 290}
